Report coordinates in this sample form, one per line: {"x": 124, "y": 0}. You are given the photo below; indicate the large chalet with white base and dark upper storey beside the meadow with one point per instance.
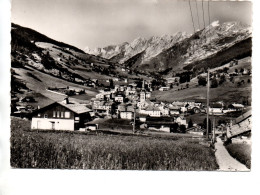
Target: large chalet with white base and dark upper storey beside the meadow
{"x": 61, "y": 116}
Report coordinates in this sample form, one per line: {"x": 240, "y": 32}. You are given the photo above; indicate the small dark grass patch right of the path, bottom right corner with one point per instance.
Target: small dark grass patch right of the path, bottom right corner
{"x": 241, "y": 152}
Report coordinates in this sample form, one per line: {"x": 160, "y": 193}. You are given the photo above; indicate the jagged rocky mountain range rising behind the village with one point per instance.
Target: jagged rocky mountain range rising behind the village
{"x": 211, "y": 47}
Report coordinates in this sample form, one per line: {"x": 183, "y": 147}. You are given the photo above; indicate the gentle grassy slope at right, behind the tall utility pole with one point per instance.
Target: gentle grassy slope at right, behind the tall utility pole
{"x": 234, "y": 89}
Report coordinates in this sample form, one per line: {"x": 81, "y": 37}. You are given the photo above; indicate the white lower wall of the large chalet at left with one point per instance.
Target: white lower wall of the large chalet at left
{"x": 57, "y": 124}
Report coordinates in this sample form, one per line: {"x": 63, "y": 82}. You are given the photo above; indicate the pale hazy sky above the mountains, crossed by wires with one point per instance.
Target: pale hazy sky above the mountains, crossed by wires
{"x": 98, "y": 23}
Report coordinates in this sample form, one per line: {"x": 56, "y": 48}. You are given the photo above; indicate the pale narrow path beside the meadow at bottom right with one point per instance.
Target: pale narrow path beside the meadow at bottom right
{"x": 225, "y": 161}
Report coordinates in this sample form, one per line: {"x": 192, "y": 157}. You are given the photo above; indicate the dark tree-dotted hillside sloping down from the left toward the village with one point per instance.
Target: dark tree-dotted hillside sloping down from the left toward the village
{"x": 39, "y": 62}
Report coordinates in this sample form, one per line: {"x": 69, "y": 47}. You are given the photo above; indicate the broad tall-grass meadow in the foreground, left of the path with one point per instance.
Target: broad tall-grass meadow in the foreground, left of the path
{"x": 69, "y": 150}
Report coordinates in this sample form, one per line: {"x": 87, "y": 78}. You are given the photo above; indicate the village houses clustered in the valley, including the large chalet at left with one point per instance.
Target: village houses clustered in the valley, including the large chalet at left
{"x": 127, "y": 102}
